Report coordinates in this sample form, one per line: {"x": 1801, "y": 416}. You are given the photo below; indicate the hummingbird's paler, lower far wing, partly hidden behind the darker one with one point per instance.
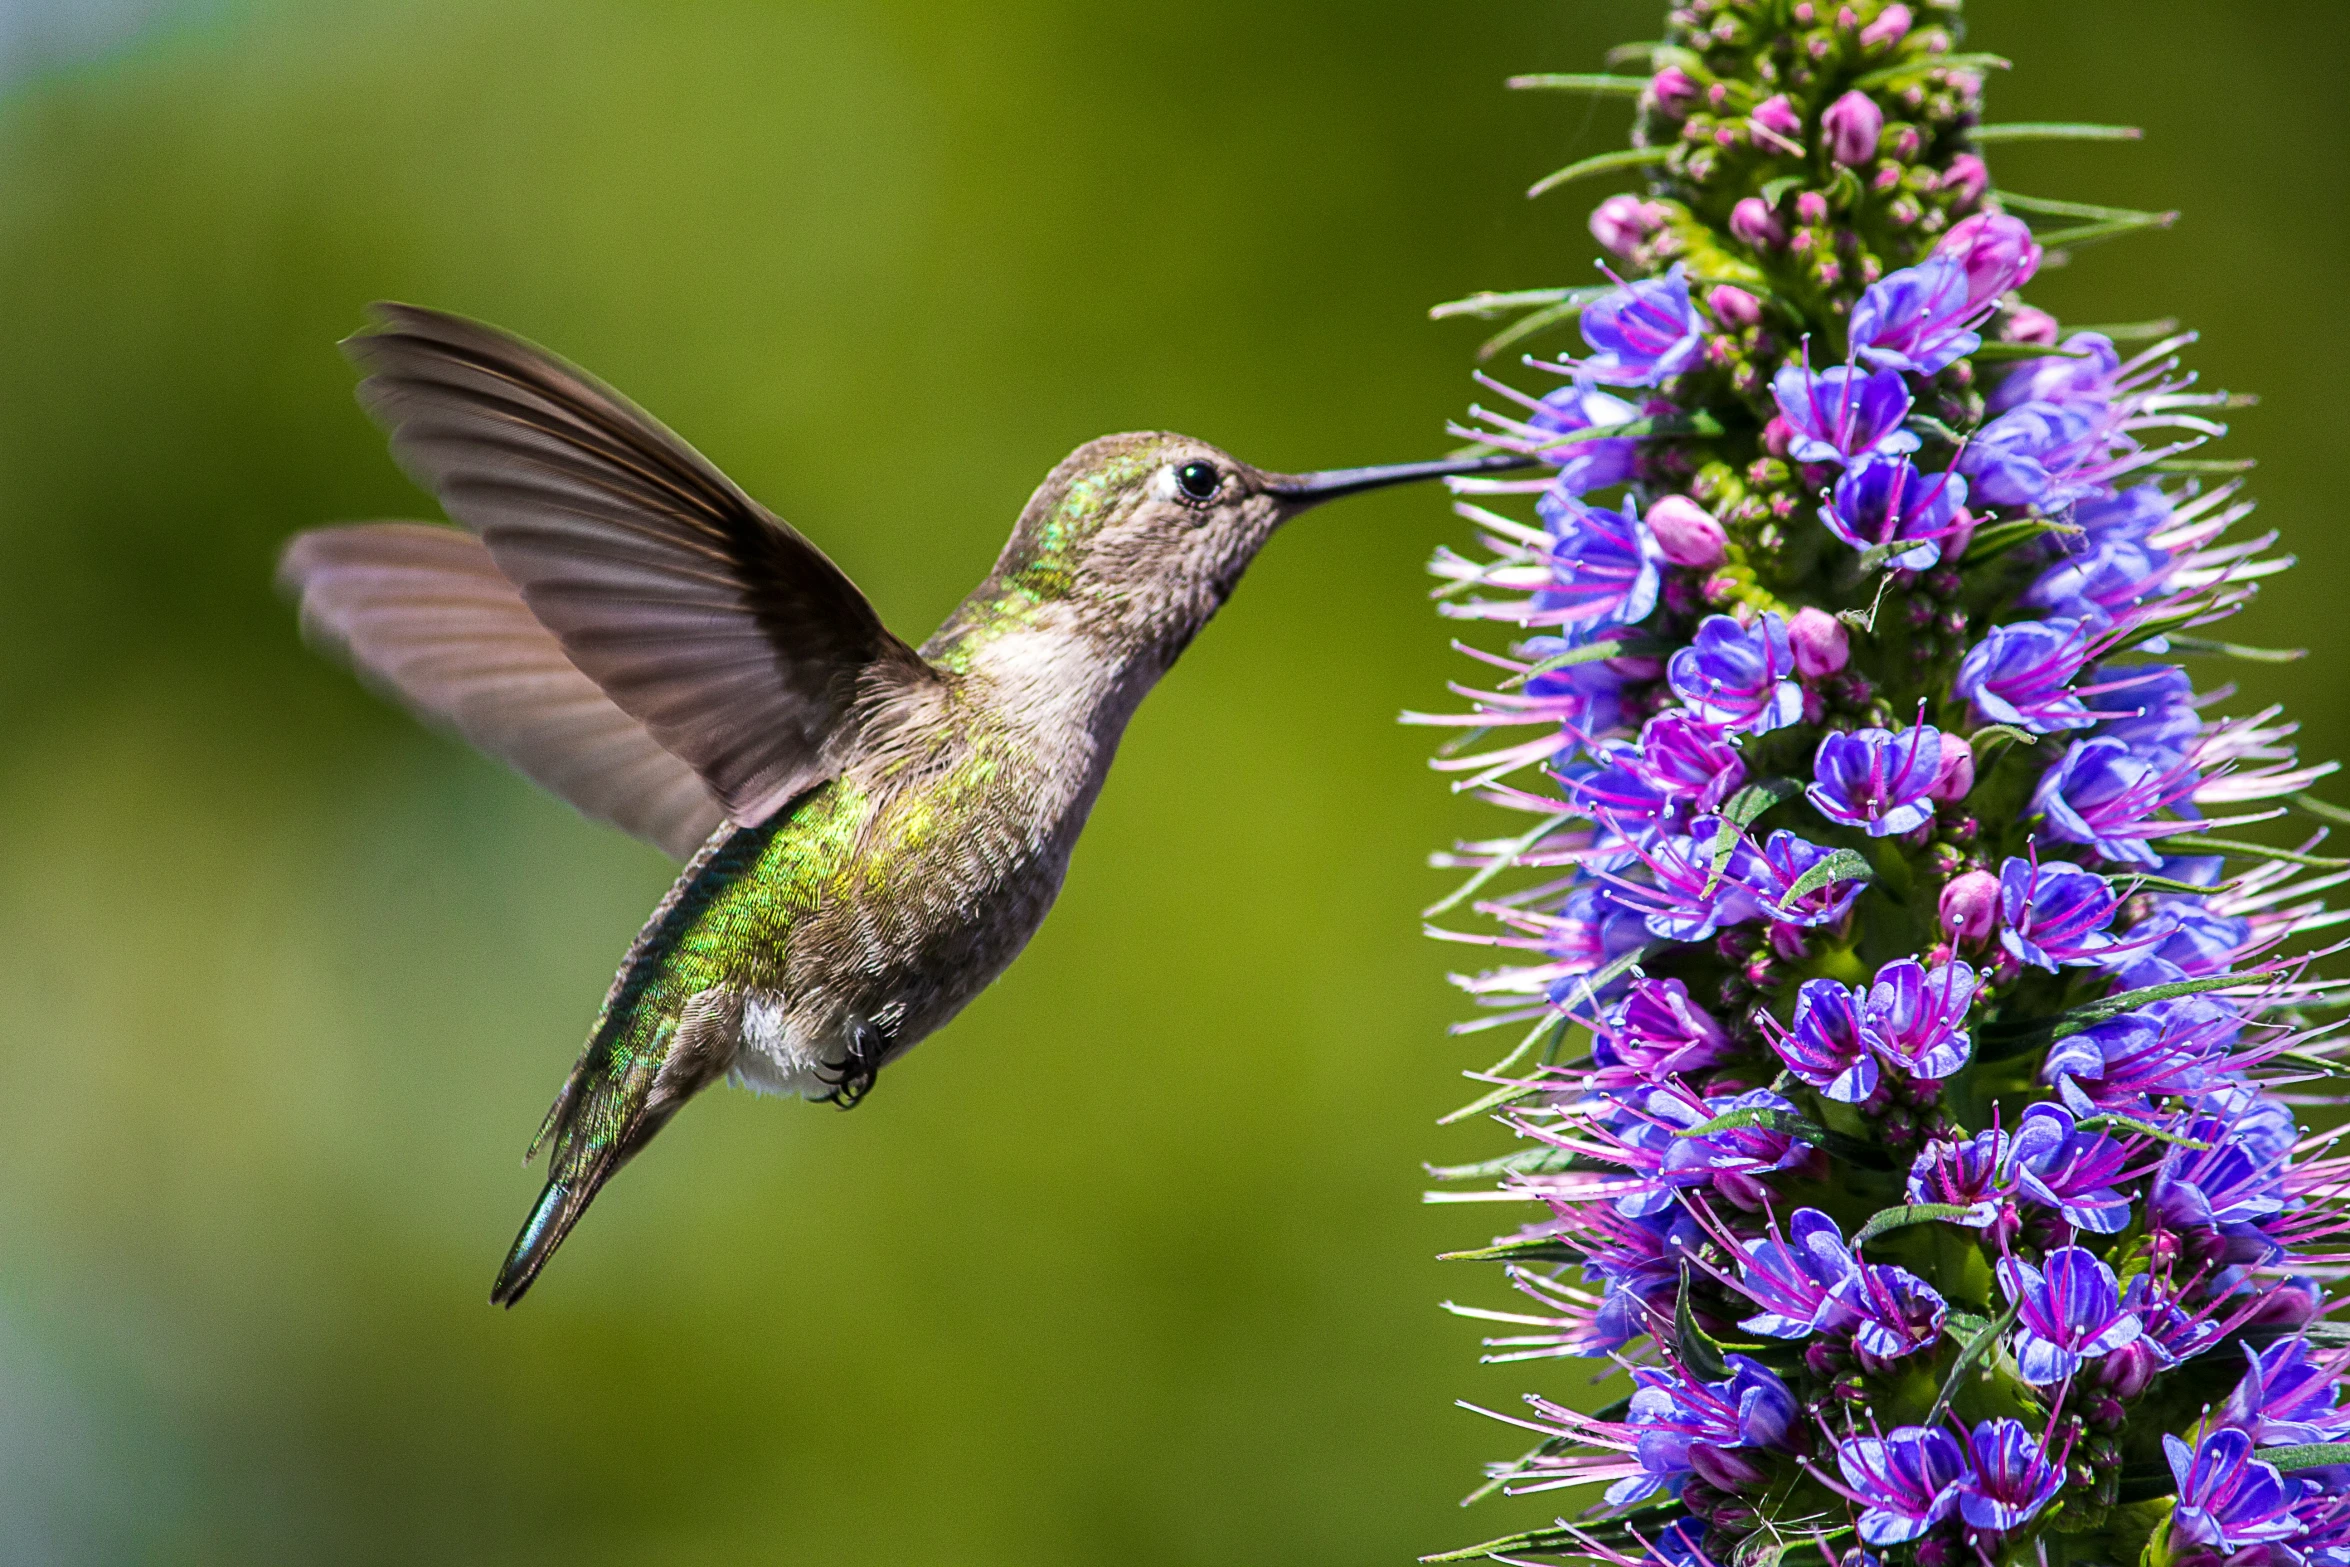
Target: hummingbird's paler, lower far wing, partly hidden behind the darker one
{"x": 424, "y": 612}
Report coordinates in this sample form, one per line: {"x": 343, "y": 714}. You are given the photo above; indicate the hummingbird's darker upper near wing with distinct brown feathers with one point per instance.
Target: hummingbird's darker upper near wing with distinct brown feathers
{"x": 730, "y": 635}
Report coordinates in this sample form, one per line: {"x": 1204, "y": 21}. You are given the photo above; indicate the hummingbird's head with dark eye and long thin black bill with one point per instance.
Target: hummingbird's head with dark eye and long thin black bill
{"x": 1148, "y": 534}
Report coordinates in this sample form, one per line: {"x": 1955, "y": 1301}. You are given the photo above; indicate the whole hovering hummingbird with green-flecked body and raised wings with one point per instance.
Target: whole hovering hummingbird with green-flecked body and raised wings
{"x": 871, "y": 830}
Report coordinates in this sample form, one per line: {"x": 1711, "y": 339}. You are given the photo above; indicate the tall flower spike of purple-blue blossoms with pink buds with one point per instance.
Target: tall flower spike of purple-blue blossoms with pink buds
{"x": 1905, "y": 1049}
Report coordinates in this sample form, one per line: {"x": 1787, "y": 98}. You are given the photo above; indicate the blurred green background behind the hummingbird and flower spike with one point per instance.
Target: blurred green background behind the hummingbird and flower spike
{"x": 1129, "y": 1265}
